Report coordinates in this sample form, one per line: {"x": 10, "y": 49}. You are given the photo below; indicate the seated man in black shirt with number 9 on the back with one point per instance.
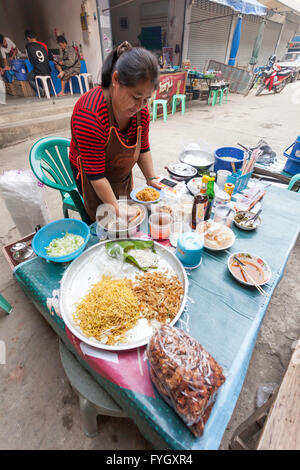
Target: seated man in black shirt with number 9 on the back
{"x": 39, "y": 57}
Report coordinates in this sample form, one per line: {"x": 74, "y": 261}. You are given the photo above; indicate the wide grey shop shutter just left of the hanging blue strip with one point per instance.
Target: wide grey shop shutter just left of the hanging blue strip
{"x": 208, "y": 40}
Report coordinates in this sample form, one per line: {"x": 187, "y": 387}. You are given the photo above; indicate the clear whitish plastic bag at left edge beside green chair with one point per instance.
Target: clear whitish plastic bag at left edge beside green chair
{"x": 24, "y": 198}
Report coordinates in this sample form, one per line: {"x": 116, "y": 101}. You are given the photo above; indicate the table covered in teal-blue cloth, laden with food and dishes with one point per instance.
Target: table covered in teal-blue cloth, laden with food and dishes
{"x": 222, "y": 315}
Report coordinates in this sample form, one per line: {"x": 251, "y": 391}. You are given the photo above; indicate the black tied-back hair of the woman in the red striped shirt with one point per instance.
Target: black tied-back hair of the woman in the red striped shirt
{"x": 133, "y": 64}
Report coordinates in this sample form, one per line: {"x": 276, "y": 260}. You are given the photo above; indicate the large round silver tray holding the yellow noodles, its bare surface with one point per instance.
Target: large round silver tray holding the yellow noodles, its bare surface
{"x": 89, "y": 268}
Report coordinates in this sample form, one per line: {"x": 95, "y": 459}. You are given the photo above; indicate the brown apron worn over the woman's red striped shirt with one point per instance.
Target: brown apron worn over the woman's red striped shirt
{"x": 119, "y": 161}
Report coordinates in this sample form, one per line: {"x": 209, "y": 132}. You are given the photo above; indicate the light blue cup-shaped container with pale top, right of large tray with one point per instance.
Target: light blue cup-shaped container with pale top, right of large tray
{"x": 189, "y": 249}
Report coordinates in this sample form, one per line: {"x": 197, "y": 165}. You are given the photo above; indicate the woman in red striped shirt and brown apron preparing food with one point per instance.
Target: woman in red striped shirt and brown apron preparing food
{"x": 110, "y": 128}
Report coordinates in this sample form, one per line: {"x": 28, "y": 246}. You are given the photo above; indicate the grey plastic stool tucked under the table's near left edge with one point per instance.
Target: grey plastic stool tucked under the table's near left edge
{"x": 93, "y": 399}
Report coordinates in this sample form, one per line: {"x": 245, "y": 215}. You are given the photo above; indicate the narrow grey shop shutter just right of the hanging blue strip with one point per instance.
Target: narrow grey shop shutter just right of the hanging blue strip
{"x": 250, "y": 27}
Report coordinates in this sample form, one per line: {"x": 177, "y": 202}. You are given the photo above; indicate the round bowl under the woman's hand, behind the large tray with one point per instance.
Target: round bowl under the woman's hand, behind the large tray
{"x": 107, "y": 222}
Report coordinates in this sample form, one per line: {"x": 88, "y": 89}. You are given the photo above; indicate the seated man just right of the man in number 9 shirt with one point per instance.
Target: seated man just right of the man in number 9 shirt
{"x": 68, "y": 63}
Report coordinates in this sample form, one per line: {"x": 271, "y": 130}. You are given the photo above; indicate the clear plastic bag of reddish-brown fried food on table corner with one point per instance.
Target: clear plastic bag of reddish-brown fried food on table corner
{"x": 185, "y": 374}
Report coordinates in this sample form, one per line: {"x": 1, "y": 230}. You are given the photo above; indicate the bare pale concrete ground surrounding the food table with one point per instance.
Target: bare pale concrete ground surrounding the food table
{"x": 38, "y": 409}
